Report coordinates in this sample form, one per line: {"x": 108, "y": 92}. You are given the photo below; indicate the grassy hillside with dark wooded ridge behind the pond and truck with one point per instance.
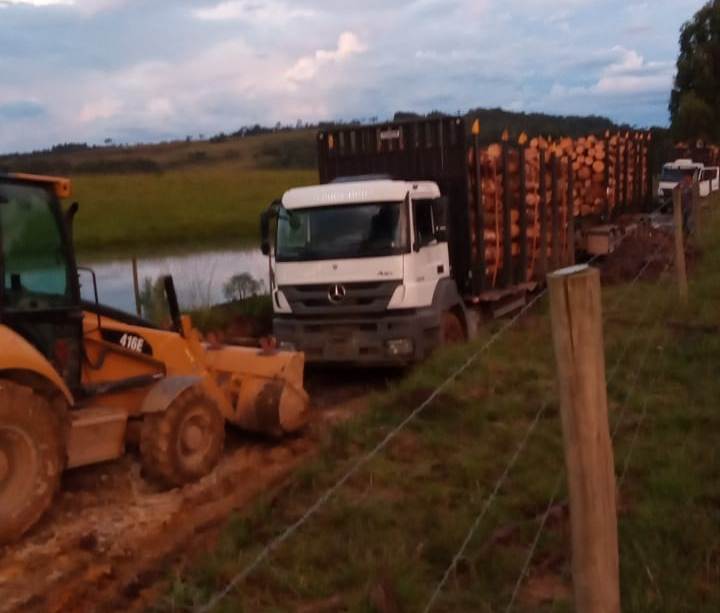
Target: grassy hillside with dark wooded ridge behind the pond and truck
{"x": 199, "y": 194}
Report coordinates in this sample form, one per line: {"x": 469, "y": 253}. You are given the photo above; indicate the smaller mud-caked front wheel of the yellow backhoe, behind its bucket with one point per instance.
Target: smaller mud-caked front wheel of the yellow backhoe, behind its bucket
{"x": 185, "y": 442}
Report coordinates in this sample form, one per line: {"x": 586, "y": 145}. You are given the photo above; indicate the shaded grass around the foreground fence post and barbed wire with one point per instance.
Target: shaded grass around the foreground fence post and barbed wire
{"x": 384, "y": 540}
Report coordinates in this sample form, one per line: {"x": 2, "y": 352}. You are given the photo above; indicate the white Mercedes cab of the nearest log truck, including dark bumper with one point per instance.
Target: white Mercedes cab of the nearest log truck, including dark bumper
{"x": 361, "y": 271}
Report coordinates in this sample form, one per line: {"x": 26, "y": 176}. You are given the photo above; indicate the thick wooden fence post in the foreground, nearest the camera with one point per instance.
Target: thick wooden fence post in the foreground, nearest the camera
{"x": 576, "y": 314}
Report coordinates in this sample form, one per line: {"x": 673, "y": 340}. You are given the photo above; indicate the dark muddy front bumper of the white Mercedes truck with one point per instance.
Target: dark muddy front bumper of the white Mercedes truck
{"x": 391, "y": 338}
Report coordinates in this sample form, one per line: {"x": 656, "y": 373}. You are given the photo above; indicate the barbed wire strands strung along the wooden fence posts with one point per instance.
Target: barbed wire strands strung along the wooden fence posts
{"x": 363, "y": 460}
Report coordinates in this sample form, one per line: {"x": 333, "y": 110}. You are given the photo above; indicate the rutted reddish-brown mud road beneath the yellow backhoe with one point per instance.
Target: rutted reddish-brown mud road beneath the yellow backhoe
{"x": 113, "y": 537}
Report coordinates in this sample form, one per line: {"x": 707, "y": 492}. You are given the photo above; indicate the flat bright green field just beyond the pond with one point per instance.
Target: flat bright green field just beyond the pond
{"x": 205, "y": 206}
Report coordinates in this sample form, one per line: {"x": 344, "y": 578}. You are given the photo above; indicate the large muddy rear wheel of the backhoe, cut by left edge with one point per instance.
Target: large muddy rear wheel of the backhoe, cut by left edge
{"x": 32, "y": 455}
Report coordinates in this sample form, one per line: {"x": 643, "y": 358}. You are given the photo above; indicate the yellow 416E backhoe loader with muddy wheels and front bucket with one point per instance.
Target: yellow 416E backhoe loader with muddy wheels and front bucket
{"x": 79, "y": 379}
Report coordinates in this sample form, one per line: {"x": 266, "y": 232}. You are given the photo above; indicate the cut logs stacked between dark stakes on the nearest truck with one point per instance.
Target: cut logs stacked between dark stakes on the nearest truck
{"x": 541, "y": 184}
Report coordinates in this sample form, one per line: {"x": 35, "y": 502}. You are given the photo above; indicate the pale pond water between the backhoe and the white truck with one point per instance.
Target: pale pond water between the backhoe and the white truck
{"x": 199, "y": 277}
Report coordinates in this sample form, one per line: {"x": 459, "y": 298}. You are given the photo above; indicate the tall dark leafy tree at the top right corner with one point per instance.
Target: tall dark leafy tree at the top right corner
{"x": 695, "y": 98}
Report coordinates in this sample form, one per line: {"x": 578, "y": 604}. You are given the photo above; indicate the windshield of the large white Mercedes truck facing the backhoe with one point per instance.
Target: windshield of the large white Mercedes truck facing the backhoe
{"x": 349, "y": 231}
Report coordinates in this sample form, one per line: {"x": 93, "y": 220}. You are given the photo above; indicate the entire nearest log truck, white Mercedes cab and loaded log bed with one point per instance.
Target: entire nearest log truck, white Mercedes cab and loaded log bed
{"x": 417, "y": 229}
